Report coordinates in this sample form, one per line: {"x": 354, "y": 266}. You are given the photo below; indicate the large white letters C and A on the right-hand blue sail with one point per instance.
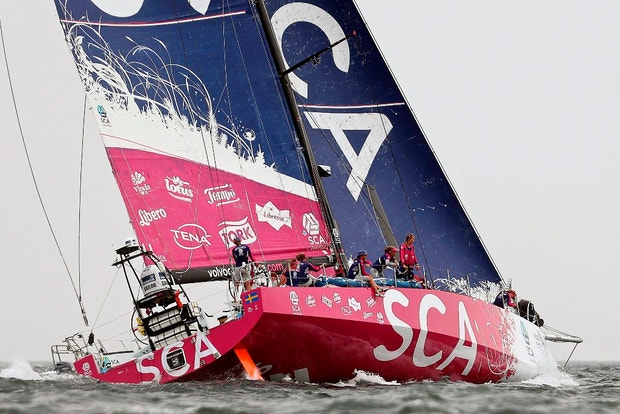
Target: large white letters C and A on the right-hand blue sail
{"x": 377, "y": 124}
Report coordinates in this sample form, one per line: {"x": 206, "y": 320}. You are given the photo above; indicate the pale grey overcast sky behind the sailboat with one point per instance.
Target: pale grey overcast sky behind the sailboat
{"x": 519, "y": 99}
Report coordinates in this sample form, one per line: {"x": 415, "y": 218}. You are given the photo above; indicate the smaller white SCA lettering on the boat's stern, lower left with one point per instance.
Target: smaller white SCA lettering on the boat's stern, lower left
{"x": 148, "y": 364}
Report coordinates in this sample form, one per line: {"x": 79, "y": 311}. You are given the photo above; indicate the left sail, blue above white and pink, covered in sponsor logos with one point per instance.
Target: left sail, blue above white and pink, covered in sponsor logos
{"x": 196, "y": 130}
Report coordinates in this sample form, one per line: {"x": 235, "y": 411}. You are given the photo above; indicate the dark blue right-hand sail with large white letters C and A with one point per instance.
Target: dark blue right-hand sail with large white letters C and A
{"x": 360, "y": 125}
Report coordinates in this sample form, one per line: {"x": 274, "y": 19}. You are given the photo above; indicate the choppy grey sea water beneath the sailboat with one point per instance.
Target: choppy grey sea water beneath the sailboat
{"x": 578, "y": 388}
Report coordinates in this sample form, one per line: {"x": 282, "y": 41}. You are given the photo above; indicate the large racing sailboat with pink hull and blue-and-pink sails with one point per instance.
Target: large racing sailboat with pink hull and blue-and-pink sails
{"x": 277, "y": 124}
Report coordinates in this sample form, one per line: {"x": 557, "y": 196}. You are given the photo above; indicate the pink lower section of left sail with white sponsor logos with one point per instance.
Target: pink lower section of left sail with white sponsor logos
{"x": 190, "y": 213}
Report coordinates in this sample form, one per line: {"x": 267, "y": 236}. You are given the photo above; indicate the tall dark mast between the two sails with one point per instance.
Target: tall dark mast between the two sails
{"x": 300, "y": 131}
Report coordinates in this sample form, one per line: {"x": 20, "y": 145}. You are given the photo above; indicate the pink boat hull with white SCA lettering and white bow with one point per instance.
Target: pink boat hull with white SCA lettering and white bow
{"x": 327, "y": 334}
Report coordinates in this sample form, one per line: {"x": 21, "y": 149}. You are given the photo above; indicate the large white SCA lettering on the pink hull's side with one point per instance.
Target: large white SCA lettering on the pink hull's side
{"x": 420, "y": 359}
